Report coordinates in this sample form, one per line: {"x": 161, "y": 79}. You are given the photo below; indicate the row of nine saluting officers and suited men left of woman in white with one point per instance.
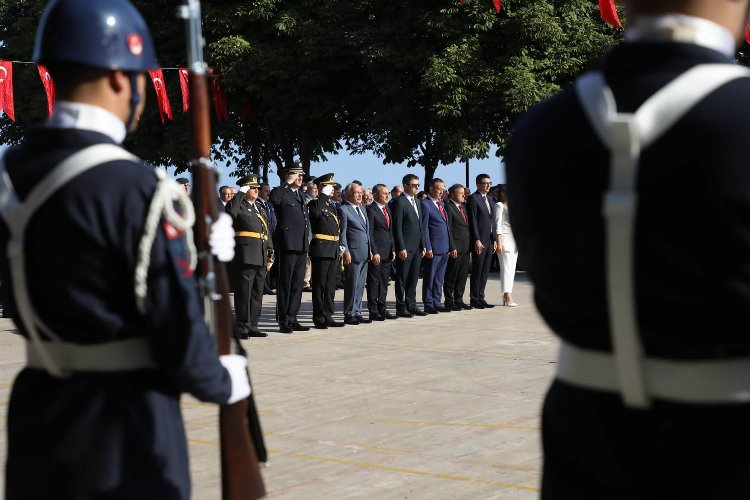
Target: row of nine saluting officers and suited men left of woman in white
{"x": 366, "y": 243}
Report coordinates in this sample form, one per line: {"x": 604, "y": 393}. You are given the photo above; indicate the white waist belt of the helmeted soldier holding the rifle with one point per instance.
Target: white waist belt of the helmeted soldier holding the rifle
{"x": 112, "y": 356}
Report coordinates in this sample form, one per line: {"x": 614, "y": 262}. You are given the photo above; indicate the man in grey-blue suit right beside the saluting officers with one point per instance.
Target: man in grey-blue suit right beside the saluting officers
{"x": 355, "y": 240}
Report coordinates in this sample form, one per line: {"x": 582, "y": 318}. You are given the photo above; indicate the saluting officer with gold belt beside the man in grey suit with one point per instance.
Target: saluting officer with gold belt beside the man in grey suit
{"x": 324, "y": 252}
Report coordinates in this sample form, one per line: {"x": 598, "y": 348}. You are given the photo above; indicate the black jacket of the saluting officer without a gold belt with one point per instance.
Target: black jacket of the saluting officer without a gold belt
{"x": 292, "y": 219}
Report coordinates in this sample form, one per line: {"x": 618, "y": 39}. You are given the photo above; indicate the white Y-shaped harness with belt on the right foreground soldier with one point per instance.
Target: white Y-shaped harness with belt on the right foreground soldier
{"x": 626, "y": 135}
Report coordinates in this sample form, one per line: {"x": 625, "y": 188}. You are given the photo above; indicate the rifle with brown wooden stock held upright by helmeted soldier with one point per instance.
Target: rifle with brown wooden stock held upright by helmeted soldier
{"x": 239, "y": 426}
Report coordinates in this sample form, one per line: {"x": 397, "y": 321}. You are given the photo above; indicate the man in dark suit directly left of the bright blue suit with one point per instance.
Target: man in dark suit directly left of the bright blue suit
{"x": 407, "y": 239}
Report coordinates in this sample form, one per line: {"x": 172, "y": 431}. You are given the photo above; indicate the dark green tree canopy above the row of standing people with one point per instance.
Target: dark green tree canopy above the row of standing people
{"x": 422, "y": 82}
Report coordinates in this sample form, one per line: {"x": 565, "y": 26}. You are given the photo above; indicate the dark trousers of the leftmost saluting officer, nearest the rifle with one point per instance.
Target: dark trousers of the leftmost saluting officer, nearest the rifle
{"x": 247, "y": 284}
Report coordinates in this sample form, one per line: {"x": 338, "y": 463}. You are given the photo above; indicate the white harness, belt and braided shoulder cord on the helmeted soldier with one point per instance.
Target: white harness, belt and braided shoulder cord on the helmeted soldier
{"x": 61, "y": 358}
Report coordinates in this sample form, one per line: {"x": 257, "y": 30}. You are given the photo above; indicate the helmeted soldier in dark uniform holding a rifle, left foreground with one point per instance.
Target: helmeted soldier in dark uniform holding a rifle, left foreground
{"x": 114, "y": 333}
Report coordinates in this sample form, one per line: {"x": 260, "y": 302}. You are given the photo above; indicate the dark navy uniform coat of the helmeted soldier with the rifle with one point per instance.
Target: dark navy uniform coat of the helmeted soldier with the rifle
{"x": 119, "y": 433}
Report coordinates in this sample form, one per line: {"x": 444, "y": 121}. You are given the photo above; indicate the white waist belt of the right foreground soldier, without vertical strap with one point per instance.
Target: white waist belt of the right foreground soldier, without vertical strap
{"x": 686, "y": 381}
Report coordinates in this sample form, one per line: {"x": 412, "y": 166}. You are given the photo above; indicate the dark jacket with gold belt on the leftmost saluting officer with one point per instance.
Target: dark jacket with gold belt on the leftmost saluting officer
{"x": 251, "y": 218}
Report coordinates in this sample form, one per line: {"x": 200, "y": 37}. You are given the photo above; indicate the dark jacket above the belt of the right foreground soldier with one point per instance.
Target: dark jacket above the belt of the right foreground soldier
{"x": 692, "y": 239}
